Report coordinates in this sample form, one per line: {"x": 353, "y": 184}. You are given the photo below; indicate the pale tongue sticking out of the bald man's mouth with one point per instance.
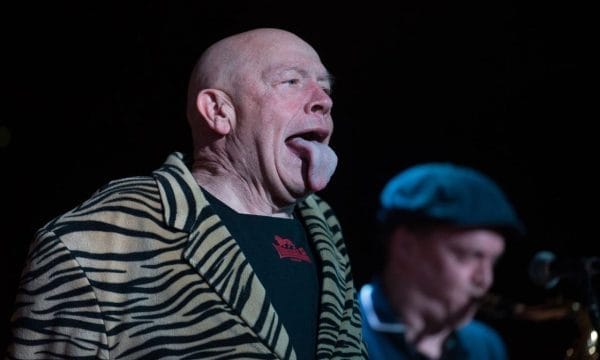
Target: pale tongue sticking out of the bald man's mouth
{"x": 320, "y": 158}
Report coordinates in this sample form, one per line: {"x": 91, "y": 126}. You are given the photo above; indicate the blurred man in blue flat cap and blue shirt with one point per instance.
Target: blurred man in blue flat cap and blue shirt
{"x": 443, "y": 227}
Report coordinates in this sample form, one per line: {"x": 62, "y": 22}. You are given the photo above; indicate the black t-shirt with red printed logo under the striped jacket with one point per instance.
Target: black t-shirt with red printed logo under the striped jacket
{"x": 283, "y": 259}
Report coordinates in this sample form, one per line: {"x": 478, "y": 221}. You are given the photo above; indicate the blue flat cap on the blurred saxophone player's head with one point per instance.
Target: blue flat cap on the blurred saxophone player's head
{"x": 448, "y": 193}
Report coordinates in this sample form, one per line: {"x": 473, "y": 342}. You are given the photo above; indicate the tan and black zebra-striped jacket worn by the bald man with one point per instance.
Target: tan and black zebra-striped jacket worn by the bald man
{"x": 145, "y": 269}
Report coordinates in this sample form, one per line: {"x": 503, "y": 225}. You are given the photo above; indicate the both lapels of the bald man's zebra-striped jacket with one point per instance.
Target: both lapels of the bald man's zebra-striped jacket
{"x": 210, "y": 246}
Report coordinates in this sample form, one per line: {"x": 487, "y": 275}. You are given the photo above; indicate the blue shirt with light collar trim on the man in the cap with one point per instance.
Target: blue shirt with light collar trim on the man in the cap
{"x": 384, "y": 334}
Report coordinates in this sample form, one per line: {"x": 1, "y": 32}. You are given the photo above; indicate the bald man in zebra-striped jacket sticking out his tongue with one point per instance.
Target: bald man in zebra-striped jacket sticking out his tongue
{"x": 228, "y": 253}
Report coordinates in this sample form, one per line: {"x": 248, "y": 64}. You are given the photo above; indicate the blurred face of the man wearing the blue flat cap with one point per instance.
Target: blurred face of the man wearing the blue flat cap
{"x": 457, "y": 269}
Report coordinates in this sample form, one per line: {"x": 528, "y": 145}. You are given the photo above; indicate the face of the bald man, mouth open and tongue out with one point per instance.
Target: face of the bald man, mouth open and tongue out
{"x": 284, "y": 123}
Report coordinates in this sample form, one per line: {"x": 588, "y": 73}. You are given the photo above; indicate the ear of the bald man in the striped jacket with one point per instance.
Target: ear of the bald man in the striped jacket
{"x": 217, "y": 110}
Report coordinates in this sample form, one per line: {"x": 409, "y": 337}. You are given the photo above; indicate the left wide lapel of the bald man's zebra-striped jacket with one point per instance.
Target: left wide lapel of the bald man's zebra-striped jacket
{"x": 216, "y": 256}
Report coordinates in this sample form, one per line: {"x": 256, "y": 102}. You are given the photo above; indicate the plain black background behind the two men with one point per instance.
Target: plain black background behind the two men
{"x": 96, "y": 92}
